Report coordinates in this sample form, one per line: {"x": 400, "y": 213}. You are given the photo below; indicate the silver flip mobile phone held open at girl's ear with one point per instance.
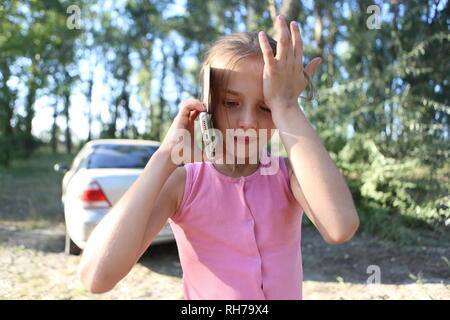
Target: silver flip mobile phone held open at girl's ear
{"x": 206, "y": 127}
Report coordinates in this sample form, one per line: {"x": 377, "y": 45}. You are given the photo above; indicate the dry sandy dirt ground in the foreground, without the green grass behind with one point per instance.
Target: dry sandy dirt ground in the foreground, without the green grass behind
{"x": 34, "y": 266}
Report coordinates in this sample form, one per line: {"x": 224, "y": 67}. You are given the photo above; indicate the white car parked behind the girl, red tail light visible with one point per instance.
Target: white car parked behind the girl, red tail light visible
{"x": 100, "y": 174}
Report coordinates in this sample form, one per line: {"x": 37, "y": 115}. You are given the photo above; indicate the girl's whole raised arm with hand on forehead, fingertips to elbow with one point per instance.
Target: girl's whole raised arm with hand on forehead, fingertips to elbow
{"x": 317, "y": 184}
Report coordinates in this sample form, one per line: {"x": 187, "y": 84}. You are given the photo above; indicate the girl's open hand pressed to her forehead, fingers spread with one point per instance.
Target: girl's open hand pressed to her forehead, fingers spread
{"x": 283, "y": 76}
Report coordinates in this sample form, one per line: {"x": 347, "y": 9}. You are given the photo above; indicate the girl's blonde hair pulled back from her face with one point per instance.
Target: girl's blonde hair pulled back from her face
{"x": 231, "y": 49}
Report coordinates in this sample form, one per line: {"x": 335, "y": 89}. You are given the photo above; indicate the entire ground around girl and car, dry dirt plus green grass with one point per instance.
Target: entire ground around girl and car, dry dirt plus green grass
{"x": 33, "y": 264}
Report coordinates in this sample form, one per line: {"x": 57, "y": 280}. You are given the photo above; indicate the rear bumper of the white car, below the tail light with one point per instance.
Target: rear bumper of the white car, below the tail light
{"x": 81, "y": 222}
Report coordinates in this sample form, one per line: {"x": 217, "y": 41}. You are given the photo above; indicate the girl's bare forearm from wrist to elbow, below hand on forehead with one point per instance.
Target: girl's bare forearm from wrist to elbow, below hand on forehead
{"x": 316, "y": 182}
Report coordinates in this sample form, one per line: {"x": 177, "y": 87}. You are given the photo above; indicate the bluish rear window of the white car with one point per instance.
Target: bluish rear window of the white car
{"x": 119, "y": 156}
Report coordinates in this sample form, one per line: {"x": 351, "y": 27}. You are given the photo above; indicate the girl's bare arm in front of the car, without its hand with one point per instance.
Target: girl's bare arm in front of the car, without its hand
{"x": 116, "y": 243}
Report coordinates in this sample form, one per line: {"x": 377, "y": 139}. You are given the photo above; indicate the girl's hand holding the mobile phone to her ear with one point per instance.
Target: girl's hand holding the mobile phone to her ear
{"x": 184, "y": 120}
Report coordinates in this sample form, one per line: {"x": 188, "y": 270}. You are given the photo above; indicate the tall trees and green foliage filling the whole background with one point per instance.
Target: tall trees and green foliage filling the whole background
{"x": 382, "y": 111}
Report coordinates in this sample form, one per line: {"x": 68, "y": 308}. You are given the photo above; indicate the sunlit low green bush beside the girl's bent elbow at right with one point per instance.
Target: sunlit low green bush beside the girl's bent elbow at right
{"x": 386, "y": 191}
